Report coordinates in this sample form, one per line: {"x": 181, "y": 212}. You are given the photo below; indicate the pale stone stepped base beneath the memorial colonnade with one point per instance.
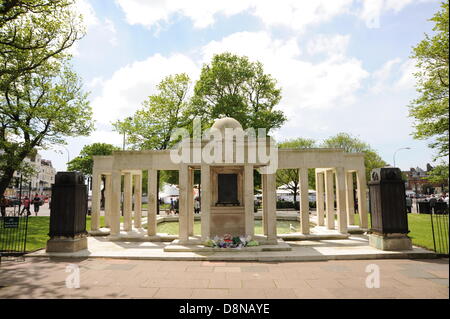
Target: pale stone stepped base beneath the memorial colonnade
{"x": 355, "y": 247}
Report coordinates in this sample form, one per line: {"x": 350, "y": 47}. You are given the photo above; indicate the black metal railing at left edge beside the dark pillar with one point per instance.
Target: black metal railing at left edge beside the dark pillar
{"x": 13, "y": 235}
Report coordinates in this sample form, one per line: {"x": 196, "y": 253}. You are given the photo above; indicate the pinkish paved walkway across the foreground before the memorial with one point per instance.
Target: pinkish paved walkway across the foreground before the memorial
{"x": 113, "y": 278}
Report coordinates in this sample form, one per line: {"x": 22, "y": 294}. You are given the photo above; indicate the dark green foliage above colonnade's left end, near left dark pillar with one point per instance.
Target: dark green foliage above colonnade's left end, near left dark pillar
{"x": 84, "y": 162}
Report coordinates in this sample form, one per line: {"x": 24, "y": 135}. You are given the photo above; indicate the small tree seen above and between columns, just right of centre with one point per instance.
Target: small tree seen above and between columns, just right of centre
{"x": 290, "y": 177}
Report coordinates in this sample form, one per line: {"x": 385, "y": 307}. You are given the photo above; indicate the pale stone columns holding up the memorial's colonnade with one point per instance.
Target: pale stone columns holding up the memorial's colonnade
{"x": 332, "y": 185}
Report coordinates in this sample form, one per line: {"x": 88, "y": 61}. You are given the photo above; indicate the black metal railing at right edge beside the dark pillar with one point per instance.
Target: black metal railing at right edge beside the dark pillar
{"x": 439, "y": 228}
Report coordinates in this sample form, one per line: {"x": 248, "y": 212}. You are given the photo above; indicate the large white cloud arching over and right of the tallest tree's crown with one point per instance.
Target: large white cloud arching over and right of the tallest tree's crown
{"x": 331, "y": 82}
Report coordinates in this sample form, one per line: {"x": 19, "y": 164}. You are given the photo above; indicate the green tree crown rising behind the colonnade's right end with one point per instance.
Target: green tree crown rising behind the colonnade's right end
{"x": 354, "y": 145}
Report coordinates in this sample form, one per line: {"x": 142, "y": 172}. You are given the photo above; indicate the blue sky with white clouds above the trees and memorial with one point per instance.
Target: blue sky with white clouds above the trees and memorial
{"x": 343, "y": 65}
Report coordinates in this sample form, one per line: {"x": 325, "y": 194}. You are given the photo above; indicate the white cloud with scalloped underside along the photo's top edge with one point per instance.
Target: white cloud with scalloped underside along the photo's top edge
{"x": 290, "y": 13}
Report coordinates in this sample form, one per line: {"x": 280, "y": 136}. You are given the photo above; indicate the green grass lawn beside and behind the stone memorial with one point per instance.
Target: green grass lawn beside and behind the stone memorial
{"x": 419, "y": 226}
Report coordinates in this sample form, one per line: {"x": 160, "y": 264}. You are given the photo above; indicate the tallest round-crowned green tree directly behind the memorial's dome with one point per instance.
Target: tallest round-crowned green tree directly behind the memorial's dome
{"x": 233, "y": 86}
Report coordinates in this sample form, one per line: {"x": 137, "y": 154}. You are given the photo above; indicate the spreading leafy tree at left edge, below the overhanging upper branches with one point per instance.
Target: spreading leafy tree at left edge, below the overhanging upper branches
{"x": 37, "y": 110}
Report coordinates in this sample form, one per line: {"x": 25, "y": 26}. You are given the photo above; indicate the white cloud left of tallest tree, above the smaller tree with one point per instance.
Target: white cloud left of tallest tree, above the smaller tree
{"x": 124, "y": 92}
